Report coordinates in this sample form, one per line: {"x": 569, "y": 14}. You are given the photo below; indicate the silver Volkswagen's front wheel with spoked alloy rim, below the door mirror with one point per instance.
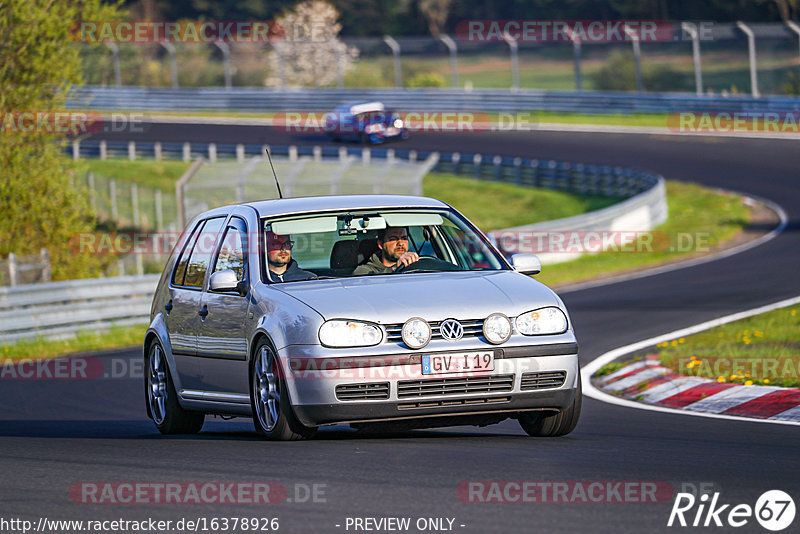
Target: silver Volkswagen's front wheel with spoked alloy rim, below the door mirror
{"x": 273, "y": 416}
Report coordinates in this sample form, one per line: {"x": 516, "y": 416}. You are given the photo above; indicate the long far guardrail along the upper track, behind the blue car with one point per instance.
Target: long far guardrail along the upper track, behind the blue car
{"x": 255, "y": 99}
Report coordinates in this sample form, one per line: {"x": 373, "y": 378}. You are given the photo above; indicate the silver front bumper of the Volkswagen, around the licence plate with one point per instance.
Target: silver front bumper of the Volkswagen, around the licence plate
{"x": 313, "y": 386}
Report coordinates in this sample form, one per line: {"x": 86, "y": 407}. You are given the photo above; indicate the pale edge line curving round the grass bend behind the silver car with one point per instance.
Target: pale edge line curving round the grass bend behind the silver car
{"x": 784, "y": 220}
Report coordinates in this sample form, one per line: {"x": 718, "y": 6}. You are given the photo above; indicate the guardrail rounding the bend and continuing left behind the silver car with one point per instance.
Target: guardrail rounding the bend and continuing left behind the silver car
{"x": 62, "y": 308}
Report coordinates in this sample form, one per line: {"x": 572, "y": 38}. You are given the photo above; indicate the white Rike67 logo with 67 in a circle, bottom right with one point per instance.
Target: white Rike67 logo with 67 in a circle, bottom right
{"x": 774, "y": 510}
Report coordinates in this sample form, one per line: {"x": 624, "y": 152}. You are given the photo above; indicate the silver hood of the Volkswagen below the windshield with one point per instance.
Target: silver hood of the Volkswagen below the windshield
{"x": 392, "y": 299}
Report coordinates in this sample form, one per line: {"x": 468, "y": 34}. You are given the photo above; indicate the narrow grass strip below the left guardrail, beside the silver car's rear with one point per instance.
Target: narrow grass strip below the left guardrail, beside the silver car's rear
{"x": 84, "y": 341}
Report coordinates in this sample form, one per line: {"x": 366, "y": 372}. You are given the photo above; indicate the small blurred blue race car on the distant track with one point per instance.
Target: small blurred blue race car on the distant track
{"x": 366, "y": 122}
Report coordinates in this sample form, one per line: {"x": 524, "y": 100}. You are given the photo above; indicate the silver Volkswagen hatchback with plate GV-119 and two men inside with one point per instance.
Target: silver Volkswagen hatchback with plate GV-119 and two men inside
{"x": 373, "y": 311}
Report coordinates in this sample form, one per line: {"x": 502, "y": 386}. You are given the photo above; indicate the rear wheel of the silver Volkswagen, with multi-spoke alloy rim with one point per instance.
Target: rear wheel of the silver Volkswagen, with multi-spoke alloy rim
{"x": 163, "y": 406}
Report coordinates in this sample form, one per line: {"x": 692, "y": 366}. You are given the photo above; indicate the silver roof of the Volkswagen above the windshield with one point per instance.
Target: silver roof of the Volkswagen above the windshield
{"x": 289, "y": 206}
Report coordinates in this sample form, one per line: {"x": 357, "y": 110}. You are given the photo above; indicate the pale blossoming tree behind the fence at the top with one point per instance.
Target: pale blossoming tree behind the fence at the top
{"x": 310, "y": 50}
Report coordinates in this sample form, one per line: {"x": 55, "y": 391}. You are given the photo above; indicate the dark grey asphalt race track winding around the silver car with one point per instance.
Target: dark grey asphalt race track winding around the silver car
{"x": 56, "y": 433}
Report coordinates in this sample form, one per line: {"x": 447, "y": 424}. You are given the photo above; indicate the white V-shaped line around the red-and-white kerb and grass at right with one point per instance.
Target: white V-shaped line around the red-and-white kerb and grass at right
{"x": 590, "y": 368}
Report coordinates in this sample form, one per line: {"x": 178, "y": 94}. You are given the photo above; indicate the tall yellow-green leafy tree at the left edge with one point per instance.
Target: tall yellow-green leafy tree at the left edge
{"x": 40, "y": 207}
